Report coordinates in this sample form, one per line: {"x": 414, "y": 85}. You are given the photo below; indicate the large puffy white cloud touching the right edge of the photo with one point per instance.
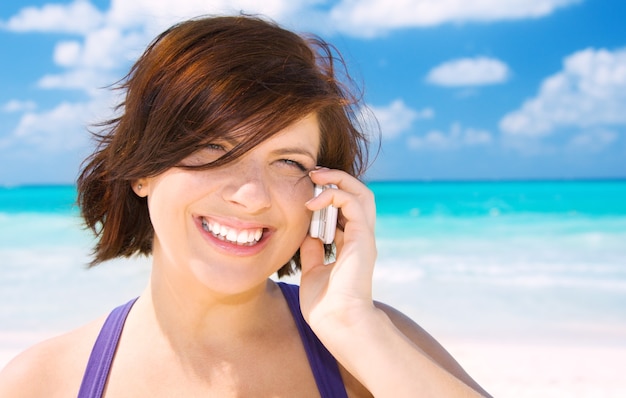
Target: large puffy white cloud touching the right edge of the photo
{"x": 590, "y": 91}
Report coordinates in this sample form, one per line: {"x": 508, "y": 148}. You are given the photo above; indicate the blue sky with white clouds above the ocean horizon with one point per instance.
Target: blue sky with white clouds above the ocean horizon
{"x": 473, "y": 89}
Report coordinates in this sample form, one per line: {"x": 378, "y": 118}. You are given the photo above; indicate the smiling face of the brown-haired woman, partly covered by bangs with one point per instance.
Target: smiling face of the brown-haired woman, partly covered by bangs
{"x": 231, "y": 227}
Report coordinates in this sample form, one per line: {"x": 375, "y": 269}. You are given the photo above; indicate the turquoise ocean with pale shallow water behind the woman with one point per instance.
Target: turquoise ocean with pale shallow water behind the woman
{"x": 506, "y": 260}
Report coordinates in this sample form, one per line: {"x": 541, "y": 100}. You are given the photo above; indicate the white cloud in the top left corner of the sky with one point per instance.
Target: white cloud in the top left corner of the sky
{"x": 77, "y": 17}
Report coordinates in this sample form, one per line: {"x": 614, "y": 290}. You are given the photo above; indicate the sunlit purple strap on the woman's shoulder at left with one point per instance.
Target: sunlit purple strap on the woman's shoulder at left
{"x": 101, "y": 358}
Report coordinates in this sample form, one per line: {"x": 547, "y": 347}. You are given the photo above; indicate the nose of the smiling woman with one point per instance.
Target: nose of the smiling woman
{"x": 247, "y": 188}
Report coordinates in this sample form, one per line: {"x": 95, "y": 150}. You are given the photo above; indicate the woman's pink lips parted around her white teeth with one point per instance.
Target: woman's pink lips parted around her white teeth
{"x": 228, "y": 247}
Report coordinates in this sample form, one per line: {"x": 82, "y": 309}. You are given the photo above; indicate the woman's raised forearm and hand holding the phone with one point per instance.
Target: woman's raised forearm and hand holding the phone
{"x": 389, "y": 354}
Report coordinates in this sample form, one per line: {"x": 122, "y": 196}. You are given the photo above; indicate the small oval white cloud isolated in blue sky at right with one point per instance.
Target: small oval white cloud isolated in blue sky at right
{"x": 469, "y": 72}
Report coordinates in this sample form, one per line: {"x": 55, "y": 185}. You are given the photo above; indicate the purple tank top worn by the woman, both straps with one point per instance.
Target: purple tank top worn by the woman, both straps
{"x": 323, "y": 364}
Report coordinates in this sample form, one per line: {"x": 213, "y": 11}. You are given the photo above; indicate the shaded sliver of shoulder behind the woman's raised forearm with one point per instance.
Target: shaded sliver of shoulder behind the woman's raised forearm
{"x": 429, "y": 345}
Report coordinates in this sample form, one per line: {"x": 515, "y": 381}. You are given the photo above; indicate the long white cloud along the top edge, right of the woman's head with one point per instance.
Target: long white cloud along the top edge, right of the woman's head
{"x": 373, "y": 17}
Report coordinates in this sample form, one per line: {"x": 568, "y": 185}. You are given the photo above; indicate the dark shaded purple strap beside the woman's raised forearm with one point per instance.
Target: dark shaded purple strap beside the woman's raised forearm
{"x": 323, "y": 364}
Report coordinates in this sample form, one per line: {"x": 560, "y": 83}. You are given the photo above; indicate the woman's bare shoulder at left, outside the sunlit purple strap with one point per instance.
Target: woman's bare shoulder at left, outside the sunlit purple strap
{"x": 51, "y": 368}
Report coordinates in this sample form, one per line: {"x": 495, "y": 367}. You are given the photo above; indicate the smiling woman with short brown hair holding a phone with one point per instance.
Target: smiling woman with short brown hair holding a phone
{"x": 226, "y": 126}
